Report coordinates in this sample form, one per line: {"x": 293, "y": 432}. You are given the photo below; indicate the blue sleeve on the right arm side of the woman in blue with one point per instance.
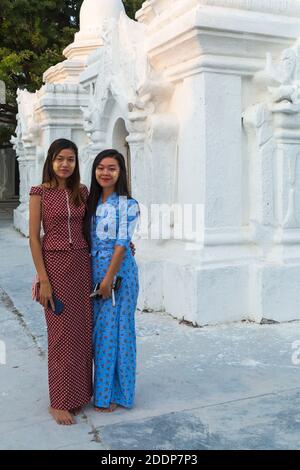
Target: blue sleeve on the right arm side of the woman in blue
{"x": 129, "y": 213}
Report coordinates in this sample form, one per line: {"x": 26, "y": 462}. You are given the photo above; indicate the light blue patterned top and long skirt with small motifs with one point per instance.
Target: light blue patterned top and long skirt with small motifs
{"x": 114, "y": 338}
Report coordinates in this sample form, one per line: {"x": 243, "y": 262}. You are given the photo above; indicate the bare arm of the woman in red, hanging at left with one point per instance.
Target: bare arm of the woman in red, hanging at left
{"x": 36, "y": 250}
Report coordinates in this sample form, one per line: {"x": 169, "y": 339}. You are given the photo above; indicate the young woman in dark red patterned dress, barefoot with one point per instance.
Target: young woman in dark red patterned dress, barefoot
{"x": 63, "y": 265}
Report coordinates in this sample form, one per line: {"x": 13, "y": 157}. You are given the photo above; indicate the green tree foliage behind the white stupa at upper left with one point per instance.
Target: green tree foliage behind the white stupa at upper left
{"x": 33, "y": 34}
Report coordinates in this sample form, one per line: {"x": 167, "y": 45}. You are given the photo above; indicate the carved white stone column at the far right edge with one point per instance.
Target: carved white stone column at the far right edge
{"x": 273, "y": 150}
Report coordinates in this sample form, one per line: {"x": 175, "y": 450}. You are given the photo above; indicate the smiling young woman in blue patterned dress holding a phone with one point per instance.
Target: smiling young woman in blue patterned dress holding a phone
{"x": 110, "y": 221}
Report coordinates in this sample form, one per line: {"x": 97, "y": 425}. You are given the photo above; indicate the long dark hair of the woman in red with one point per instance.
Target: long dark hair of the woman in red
{"x": 49, "y": 177}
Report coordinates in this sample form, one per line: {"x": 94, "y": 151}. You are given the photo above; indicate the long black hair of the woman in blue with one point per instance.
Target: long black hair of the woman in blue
{"x": 121, "y": 187}
